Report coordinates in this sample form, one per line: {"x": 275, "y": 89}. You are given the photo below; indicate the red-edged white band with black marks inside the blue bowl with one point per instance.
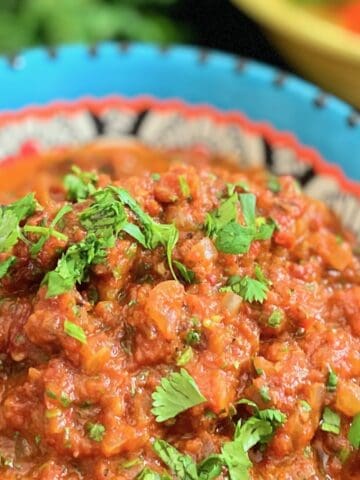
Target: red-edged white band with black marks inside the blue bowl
{"x": 175, "y": 124}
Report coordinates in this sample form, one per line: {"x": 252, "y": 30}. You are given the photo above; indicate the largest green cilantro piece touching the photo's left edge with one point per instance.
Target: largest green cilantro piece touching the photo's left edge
{"x": 10, "y": 218}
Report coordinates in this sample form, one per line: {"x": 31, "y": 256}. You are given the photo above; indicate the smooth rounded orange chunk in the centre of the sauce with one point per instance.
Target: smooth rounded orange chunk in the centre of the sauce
{"x": 164, "y": 307}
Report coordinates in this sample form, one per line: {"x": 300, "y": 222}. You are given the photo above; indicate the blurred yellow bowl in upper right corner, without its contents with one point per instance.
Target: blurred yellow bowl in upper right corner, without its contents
{"x": 322, "y": 51}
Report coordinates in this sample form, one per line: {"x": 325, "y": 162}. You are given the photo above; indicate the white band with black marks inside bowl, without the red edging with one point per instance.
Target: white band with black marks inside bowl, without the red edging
{"x": 170, "y": 128}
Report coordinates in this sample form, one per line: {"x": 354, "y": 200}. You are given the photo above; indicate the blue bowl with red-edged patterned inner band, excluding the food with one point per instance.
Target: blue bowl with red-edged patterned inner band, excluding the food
{"x": 179, "y": 97}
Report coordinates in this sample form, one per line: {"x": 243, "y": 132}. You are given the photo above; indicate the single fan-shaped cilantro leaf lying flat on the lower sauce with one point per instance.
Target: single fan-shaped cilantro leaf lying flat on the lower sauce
{"x": 175, "y": 394}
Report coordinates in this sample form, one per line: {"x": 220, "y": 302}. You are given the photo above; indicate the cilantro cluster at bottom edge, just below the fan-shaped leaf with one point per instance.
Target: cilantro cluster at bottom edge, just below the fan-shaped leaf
{"x": 257, "y": 429}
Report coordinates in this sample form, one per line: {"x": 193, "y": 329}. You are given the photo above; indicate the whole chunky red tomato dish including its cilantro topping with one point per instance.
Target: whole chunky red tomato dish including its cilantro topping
{"x": 167, "y": 315}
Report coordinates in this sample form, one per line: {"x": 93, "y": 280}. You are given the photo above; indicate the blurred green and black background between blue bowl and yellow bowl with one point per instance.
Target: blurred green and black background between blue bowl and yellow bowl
{"x": 208, "y": 23}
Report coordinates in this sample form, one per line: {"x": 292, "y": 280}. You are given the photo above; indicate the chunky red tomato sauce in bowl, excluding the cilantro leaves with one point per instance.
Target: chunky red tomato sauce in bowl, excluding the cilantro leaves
{"x": 137, "y": 320}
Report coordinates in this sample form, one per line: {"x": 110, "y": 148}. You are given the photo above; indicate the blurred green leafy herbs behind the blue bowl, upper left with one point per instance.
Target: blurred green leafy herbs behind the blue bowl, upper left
{"x": 31, "y": 22}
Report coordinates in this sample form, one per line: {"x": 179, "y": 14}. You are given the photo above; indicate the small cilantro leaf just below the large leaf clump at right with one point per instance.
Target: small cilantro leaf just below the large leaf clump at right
{"x": 251, "y": 289}
